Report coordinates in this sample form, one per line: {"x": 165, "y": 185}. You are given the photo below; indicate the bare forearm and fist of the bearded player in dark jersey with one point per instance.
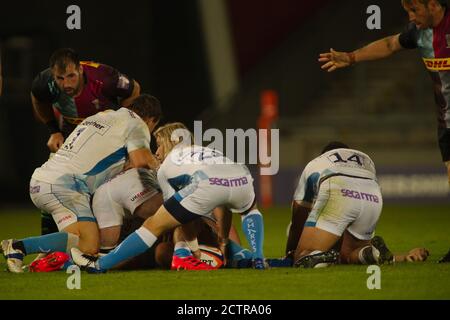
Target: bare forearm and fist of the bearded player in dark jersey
{"x": 44, "y": 113}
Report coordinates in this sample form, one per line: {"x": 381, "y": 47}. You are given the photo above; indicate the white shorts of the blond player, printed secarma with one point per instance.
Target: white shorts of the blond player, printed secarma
{"x": 206, "y": 193}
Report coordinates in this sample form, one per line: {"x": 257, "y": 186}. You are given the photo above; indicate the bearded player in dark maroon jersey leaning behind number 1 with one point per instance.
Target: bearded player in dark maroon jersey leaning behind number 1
{"x": 76, "y": 90}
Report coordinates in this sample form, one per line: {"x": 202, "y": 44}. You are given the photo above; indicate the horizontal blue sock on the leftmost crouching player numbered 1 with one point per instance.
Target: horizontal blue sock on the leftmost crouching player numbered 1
{"x": 43, "y": 244}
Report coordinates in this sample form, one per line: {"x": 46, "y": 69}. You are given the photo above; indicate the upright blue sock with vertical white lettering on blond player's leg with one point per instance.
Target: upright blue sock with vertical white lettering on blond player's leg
{"x": 253, "y": 227}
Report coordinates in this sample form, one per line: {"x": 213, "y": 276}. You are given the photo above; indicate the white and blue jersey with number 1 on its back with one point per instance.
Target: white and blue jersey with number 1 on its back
{"x": 96, "y": 150}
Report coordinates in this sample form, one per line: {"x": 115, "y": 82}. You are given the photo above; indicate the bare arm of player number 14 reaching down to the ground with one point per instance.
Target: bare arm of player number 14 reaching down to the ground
{"x": 300, "y": 212}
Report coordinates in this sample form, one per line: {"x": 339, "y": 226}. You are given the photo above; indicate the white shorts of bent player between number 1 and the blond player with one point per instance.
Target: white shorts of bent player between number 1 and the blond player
{"x": 126, "y": 191}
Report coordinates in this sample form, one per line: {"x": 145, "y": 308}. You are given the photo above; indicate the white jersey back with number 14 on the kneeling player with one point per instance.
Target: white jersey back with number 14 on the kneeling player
{"x": 343, "y": 162}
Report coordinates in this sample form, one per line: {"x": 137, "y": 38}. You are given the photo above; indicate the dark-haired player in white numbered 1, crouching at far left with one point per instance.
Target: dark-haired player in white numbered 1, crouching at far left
{"x": 94, "y": 152}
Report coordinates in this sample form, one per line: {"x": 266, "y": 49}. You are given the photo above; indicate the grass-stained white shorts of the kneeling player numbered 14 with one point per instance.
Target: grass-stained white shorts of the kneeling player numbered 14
{"x": 346, "y": 203}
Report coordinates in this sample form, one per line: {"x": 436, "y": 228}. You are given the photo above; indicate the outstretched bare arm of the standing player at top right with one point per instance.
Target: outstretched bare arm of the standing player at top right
{"x": 376, "y": 50}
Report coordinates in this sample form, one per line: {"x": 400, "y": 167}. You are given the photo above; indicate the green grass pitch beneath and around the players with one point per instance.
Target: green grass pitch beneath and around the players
{"x": 403, "y": 228}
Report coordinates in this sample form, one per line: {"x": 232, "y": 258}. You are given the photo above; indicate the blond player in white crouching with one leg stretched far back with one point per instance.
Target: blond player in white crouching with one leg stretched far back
{"x": 194, "y": 181}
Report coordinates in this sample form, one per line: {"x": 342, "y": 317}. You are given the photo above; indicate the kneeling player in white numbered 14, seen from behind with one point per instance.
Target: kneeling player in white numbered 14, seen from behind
{"x": 337, "y": 196}
